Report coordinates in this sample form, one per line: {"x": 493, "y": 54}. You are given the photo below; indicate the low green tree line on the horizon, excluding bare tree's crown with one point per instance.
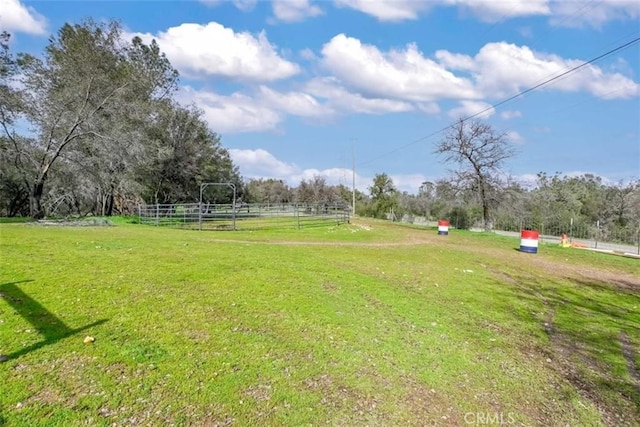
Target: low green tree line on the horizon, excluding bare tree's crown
{"x": 553, "y": 199}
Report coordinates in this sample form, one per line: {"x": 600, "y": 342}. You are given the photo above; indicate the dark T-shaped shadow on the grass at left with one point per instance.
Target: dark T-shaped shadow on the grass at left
{"x": 46, "y": 323}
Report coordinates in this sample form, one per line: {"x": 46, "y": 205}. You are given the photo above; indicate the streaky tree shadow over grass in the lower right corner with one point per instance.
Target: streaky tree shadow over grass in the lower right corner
{"x": 592, "y": 329}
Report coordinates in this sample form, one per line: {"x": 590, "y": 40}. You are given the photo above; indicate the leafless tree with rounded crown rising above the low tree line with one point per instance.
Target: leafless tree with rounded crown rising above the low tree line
{"x": 479, "y": 151}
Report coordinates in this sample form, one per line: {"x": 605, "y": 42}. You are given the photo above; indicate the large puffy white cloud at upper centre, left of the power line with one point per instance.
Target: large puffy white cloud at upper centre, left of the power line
{"x": 401, "y": 74}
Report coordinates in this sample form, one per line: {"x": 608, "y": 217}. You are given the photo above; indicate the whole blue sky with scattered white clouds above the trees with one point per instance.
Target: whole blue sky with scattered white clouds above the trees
{"x": 295, "y": 88}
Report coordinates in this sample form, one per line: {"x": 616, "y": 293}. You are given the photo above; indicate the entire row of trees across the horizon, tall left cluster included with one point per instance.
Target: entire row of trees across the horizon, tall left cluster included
{"x": 93, "y": 127}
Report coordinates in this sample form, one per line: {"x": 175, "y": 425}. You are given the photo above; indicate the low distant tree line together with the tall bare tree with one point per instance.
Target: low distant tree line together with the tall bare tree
{"x": 478, "y": 193}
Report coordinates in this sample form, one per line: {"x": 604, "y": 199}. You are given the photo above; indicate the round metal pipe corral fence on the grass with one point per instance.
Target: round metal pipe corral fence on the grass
{"x": 244, "y": 216}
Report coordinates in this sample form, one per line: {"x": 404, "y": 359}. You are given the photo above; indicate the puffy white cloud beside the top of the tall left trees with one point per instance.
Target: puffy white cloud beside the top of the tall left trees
{"x": 214, "y": 50}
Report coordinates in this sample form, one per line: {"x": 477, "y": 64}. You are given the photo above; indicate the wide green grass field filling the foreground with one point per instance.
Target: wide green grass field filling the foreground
{"x": 368, "y": 323}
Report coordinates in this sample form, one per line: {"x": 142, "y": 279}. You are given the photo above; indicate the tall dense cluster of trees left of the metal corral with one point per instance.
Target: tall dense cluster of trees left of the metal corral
{"x": 91, "y": 127}
